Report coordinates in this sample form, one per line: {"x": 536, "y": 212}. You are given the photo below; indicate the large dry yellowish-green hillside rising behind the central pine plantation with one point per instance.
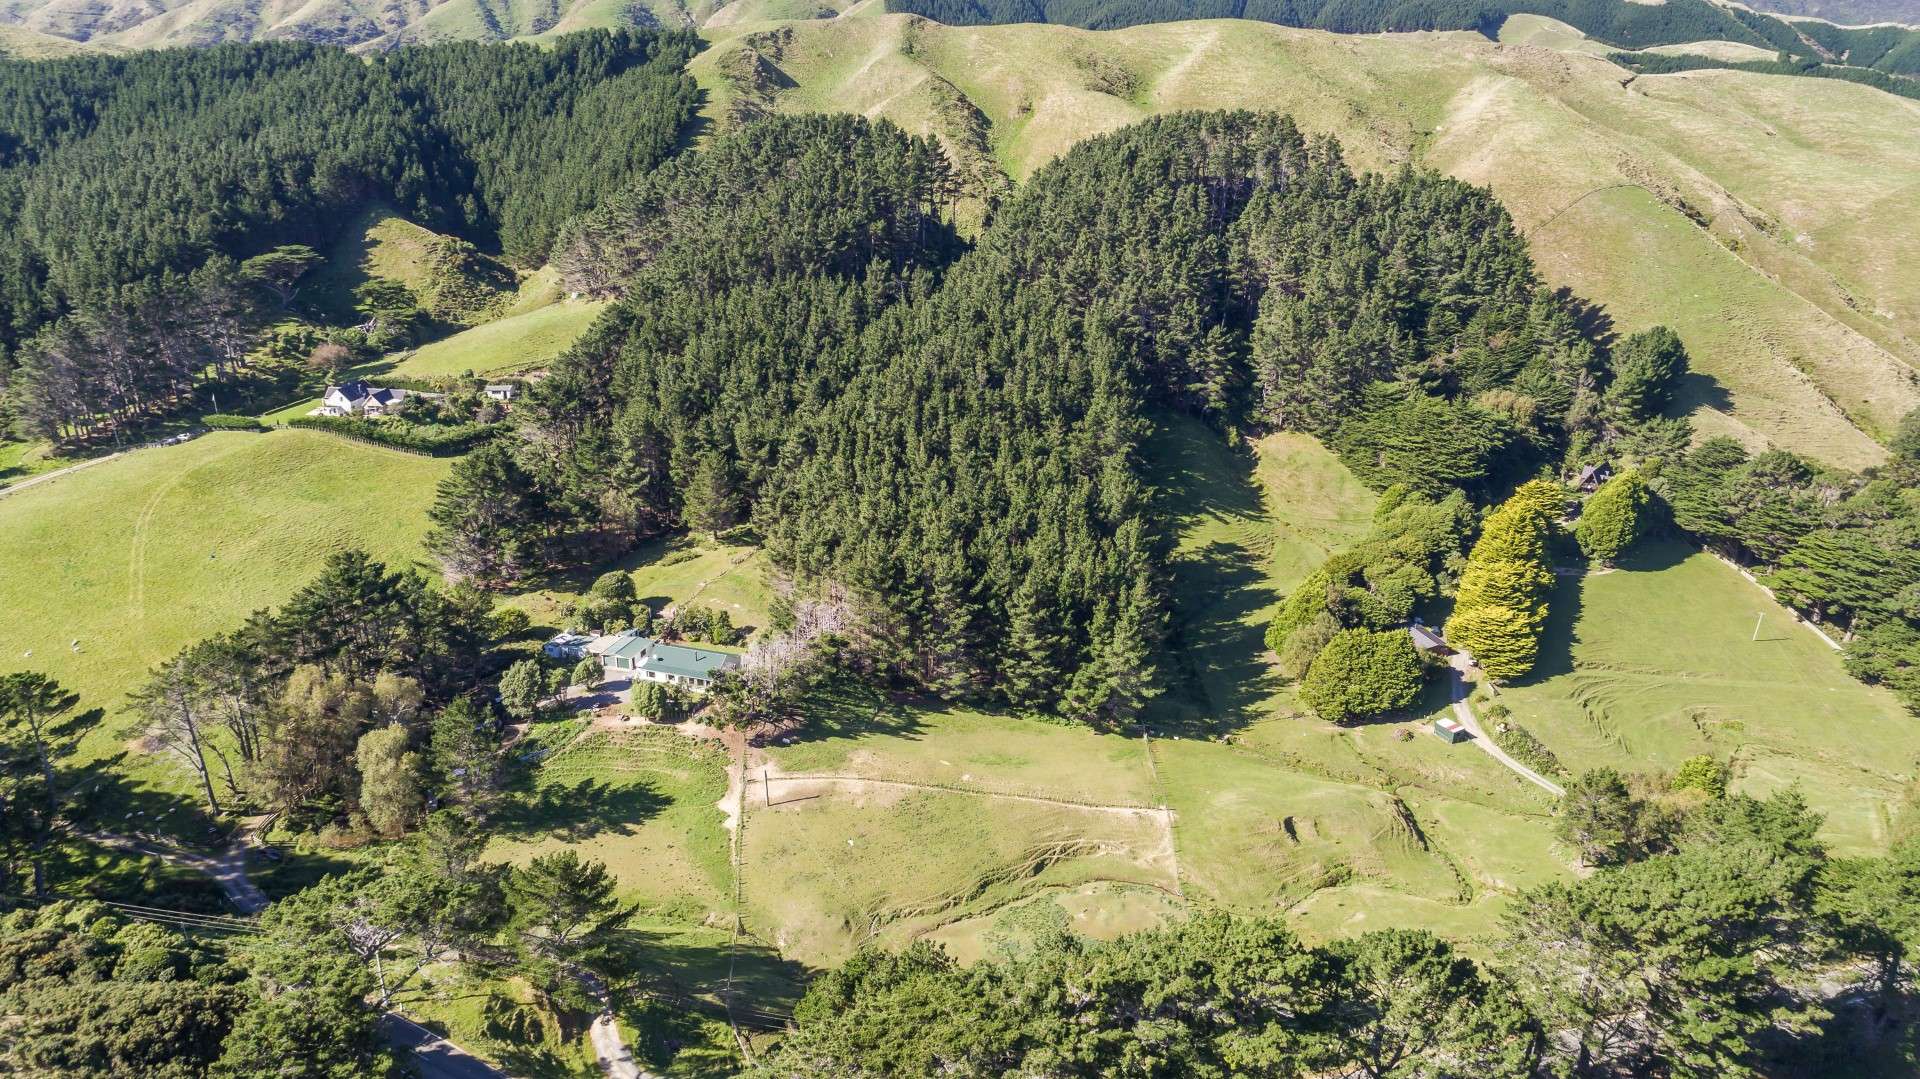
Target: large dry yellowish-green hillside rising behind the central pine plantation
{"x": 1764, "y": 218}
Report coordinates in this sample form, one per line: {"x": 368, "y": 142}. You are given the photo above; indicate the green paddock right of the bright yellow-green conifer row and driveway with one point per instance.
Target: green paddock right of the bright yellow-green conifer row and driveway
{"x": 1654, "y": 663}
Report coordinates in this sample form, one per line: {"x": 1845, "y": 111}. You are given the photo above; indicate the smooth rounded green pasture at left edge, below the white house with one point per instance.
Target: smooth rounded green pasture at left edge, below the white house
{"x": 114, "y": 569}
